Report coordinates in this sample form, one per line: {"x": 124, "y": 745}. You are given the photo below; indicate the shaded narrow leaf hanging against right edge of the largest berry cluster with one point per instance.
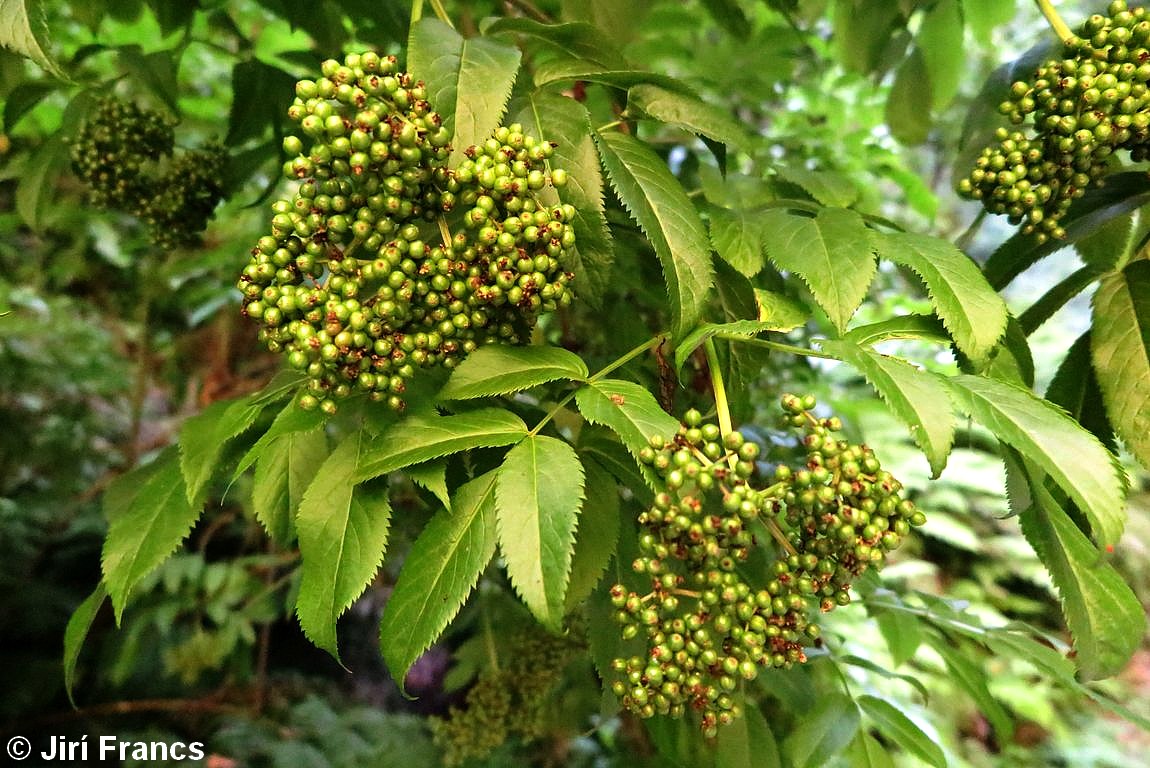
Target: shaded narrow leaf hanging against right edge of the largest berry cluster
{"x": 568, "y": 124}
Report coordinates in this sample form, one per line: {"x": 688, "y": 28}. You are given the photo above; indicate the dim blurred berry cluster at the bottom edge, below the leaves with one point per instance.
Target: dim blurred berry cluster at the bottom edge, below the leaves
{"x": 511, "y": 702}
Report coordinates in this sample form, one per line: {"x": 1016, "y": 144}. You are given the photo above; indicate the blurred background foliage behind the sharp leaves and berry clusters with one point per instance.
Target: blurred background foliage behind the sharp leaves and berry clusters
{"x": 108, "y": 345}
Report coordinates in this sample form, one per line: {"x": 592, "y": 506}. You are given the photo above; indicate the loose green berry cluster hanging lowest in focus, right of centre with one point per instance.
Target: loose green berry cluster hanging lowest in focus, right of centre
{"x": 708, "y": 620}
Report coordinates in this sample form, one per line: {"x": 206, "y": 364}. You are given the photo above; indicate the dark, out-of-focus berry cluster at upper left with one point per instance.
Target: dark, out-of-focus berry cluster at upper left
{"x": 125, "y": 155}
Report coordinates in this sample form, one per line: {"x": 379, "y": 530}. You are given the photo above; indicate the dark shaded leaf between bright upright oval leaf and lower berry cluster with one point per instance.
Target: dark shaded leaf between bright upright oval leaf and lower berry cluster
{"x": 597, "y": 534}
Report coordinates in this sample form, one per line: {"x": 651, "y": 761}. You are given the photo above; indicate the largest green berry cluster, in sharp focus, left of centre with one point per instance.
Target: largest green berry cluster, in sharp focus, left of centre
{"x": 387, "y": 260}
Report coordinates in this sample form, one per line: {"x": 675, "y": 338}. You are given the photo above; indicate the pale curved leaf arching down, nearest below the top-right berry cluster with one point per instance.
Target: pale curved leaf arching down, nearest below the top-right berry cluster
{"x": 968, "y": 306}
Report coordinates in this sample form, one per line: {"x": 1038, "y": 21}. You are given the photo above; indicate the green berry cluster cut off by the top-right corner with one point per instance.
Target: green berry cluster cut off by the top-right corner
{"x": 1086, "y": 106}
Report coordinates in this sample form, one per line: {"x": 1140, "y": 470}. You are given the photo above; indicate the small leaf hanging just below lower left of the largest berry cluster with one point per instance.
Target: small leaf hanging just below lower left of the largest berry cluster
{"x": 282, "y": 474}
